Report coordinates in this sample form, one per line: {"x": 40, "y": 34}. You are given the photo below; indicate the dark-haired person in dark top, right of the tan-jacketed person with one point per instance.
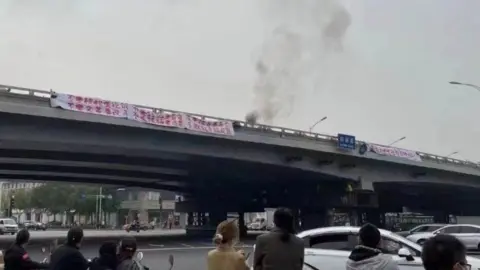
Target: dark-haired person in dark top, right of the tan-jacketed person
{"x": 279, "y": 249}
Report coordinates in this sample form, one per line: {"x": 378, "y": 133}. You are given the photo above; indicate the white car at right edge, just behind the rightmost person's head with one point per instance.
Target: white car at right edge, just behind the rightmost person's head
{"x": 467, "y": 233}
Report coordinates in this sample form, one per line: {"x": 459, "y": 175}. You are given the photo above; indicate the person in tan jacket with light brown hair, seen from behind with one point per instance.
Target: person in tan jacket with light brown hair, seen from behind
{"x": 224, "y": 256}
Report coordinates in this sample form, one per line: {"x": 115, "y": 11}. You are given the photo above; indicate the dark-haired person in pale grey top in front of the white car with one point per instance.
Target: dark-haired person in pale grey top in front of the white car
{"x": 367, "y": 255}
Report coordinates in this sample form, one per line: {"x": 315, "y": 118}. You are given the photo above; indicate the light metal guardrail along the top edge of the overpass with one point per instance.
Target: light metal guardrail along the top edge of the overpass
{"x": 280, "y": 131}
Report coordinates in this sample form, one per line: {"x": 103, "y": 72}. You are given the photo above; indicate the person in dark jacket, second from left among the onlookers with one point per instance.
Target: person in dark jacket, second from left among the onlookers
{"x": 68, "y": 256}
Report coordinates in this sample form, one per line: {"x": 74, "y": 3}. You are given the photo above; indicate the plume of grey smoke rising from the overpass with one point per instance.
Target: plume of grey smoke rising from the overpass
{"x": 287, "y": 57}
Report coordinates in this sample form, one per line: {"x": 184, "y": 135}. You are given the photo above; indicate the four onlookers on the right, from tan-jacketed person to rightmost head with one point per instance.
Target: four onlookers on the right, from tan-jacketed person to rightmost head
{"x": 281, "y": 249}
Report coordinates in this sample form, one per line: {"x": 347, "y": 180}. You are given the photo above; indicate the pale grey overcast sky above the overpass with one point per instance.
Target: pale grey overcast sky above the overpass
{"x": 380, "y": 74}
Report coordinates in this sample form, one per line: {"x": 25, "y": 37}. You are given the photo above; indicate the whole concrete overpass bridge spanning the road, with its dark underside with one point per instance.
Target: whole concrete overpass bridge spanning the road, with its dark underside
{"x": 269, "y": 165}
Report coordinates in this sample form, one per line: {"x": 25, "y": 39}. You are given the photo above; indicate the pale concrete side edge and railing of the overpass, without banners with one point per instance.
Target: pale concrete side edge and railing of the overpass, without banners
{"x": 17, "y": 100}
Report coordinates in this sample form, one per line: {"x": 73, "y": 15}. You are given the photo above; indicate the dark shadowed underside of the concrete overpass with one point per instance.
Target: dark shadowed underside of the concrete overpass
{"x": 41, "y": 149}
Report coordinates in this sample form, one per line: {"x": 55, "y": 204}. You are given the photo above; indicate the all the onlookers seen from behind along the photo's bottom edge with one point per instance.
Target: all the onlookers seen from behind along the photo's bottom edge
{"x": 279, "y": 249}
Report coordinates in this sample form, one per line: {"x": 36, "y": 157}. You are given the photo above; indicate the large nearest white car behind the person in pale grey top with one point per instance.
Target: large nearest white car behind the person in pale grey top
{"x": 329, "y": 248}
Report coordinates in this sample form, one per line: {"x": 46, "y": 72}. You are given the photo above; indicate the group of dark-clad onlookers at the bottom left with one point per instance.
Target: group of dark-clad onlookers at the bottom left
{"x": 68, "y": 256}
